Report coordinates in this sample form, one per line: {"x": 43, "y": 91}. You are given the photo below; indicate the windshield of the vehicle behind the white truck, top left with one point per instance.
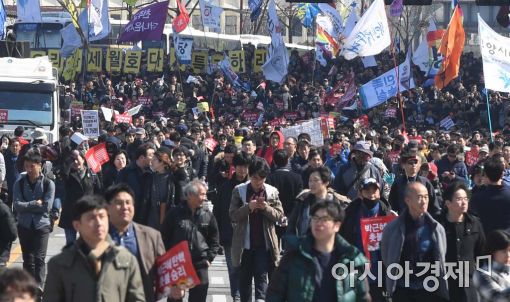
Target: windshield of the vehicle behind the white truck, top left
{"x": 40, "y": 35}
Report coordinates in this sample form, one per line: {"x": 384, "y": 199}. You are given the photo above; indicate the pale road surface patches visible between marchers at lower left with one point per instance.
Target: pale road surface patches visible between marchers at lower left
{"x": 219, "y": 290}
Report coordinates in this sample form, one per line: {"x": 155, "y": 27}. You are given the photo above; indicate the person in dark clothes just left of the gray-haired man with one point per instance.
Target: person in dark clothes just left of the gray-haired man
{"x": 160, "y": 191}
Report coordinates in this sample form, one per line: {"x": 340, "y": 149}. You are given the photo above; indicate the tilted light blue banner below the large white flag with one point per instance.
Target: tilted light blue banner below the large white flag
{"x": 380, "y": 89}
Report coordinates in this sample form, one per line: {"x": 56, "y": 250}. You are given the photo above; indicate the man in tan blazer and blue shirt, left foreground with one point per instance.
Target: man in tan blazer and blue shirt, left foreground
{"x": 143, "y": 242}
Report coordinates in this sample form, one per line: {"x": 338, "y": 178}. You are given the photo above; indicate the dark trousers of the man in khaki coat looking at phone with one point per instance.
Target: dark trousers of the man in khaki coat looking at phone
{"x": 255, "y": 264}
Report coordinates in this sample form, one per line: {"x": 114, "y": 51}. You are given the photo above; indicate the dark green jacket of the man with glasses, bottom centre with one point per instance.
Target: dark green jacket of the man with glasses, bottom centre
{"x": 294, "y": 279}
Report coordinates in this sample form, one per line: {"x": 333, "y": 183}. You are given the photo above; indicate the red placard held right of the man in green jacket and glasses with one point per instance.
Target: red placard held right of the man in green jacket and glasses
{"x": 371, "y": 232}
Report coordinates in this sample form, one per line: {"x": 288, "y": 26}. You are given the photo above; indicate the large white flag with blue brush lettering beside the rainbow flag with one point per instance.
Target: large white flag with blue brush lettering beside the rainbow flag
{"x": 371, "y": 34}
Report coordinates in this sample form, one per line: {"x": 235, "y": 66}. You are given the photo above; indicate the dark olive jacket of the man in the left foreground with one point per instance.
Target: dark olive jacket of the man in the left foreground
{"x": 70, "y": 277}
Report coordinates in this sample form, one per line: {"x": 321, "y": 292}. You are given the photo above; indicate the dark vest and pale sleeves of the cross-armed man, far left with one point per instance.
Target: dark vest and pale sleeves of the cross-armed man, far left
{"x": 29, "y": 213}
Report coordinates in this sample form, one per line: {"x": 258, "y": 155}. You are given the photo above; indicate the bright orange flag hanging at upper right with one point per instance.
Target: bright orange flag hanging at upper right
{"x": 451, "y": 48}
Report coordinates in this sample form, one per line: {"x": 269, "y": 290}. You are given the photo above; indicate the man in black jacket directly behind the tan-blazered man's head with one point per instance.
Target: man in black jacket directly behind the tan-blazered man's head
{"x": 136, "y": 175}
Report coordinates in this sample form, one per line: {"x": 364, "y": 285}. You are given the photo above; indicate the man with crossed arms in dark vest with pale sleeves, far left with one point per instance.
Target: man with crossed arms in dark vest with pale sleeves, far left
{"x": 32, "y": 200}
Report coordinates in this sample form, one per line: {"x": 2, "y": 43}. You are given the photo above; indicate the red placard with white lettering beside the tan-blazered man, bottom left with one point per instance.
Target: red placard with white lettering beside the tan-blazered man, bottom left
{"x": 175, "y": 268}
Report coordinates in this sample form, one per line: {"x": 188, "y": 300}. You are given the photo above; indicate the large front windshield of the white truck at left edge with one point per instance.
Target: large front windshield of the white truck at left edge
{"x": 23, "y": 107}
